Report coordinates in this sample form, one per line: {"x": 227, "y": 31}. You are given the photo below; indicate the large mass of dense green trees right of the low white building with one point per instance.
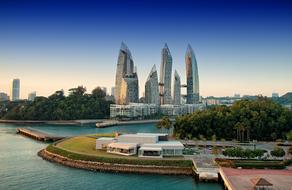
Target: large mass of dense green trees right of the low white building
{"x": 260, "y": 119}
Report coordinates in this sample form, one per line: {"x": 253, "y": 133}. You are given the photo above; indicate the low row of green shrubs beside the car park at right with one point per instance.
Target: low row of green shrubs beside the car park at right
{"x": 243, "y": 153}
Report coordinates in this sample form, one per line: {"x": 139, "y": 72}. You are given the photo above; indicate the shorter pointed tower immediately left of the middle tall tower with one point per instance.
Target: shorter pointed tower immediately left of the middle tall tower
{"x": 151, "y": 87}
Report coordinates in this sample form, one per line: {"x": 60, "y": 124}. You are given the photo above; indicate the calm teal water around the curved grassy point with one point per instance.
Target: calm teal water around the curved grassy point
{"x": 21, "y": 168}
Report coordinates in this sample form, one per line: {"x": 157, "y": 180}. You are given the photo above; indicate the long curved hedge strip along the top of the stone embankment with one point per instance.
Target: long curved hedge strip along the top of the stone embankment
{"x": 75, "y": 156}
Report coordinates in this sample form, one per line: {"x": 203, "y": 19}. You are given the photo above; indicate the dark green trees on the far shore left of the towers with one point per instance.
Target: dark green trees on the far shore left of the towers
{"x": 77, "y": 105}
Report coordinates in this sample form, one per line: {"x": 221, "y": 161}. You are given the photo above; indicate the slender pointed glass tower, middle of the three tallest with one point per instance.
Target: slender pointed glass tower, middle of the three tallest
{"x": 165, "y": 76}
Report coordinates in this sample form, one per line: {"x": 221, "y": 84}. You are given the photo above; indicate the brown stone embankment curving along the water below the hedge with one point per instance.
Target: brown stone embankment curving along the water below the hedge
{"x": 98, "y": 166}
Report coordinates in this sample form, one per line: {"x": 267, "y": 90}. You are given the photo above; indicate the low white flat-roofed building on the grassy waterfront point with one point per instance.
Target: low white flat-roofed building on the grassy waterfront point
{"x": 149, "y": 145}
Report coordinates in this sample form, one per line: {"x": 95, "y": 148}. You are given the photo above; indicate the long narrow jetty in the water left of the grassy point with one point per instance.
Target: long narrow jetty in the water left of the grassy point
{"x": 38, "y": 135}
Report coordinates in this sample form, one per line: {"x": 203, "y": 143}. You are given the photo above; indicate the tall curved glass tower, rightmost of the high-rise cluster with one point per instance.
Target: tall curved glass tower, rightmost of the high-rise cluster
{"x": 193, "y": 94}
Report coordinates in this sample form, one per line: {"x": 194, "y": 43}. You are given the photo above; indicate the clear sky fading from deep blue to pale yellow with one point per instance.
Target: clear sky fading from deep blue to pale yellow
{"x": 241, "y": 46}
